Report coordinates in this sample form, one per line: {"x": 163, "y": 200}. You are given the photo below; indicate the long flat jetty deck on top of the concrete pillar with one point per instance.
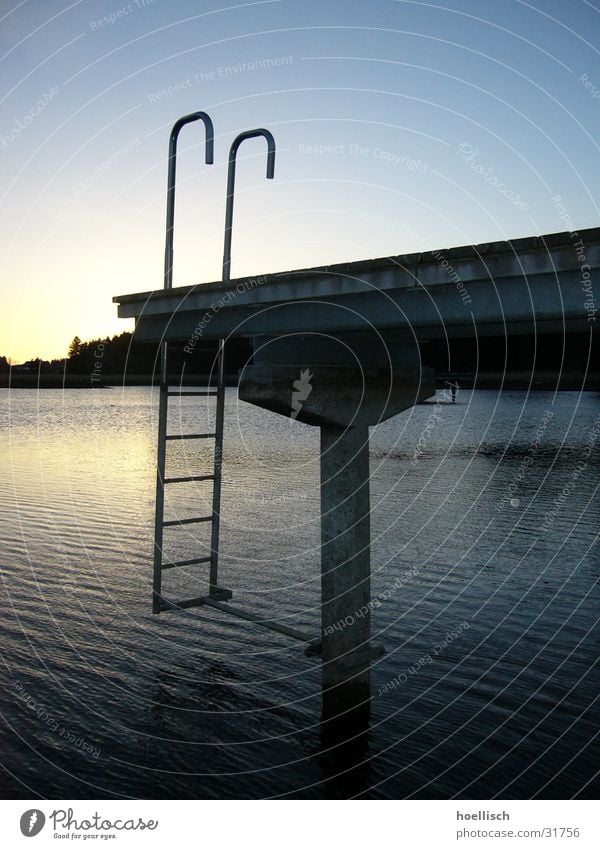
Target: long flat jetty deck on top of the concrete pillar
{"x": 533, "y": 284}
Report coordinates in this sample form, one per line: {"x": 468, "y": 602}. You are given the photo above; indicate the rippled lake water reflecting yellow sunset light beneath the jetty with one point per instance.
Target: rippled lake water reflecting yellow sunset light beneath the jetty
{"x": 100, "y": 698}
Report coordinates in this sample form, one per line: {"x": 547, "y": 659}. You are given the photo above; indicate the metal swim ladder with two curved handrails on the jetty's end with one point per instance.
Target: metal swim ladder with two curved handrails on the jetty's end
{"x": 216, "y": 594}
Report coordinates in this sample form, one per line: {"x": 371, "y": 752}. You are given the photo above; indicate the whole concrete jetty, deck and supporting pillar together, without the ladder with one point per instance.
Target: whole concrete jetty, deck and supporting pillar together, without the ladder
{"x": 338, "y": 347}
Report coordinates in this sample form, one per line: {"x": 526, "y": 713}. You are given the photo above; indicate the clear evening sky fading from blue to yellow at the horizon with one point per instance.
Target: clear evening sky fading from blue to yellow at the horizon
{"x": 400, "y": 126}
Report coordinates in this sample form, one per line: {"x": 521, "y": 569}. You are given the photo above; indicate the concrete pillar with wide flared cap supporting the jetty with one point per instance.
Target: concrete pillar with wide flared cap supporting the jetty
{"x": 343, "y": 401}
